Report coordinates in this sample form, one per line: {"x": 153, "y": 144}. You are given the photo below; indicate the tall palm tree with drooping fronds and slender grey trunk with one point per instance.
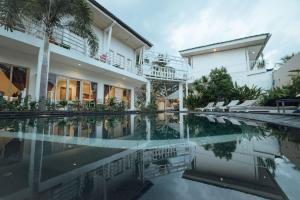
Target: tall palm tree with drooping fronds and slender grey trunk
{"x": 73, "y": 15}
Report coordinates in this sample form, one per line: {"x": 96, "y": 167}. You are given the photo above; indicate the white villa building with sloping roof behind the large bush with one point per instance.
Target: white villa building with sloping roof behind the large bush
{"x": 239, "y": 56}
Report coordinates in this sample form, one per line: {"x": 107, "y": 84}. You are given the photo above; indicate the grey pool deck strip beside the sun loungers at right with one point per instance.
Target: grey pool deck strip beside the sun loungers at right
{"x": 291, "y": 120}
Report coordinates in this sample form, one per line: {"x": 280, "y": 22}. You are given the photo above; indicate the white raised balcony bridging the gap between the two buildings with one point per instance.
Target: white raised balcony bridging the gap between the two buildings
{"x": 165, "y": 67}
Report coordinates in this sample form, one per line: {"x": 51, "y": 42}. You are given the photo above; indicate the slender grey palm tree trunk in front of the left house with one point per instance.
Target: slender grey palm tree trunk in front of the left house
{"x": 44, "y": 74}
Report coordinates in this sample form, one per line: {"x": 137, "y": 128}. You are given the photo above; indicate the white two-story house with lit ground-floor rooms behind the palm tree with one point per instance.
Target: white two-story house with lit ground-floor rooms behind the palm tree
{"x": 73, "y": 74}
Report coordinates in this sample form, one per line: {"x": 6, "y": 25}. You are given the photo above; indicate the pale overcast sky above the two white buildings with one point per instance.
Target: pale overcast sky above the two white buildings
{"x": 173, "y": 25}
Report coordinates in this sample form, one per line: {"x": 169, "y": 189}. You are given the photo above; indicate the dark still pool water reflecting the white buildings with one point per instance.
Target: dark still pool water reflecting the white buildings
{"x": 164, "y": 156}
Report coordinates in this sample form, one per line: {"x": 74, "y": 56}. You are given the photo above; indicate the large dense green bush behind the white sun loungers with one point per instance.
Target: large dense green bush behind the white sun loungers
{"x": 218, "y": 86}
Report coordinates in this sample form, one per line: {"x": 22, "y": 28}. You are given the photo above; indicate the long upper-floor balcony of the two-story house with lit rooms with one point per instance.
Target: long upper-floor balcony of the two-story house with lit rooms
{"x": 69, "y": 41}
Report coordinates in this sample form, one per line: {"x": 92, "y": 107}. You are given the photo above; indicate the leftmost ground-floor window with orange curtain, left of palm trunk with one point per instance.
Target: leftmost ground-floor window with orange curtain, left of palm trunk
{"x": 14, "y": 81}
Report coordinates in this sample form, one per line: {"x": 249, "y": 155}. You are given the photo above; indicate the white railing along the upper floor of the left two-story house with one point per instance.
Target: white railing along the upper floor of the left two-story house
{"x": 68, "y": 40}
